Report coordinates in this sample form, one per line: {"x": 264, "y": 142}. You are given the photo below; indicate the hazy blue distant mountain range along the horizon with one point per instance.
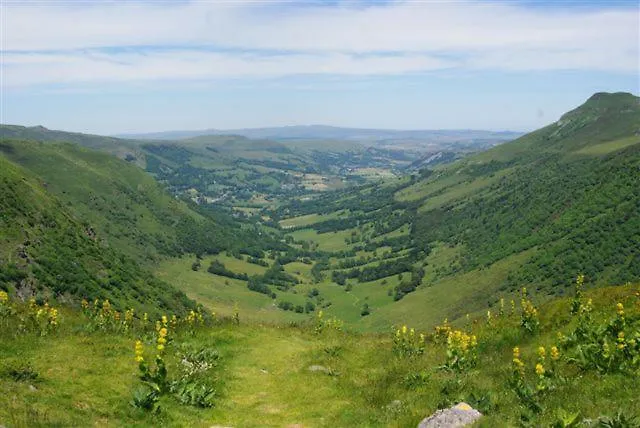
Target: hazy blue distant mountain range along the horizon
{"x": 323, "y": 132}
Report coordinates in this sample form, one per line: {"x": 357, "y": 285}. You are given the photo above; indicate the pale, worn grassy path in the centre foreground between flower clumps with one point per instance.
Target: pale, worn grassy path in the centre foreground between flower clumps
{"x": 270, "y": 384}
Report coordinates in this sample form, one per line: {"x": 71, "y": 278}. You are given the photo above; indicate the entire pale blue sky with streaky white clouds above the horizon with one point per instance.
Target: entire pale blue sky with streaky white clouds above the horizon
{"x": 112, "y": 67}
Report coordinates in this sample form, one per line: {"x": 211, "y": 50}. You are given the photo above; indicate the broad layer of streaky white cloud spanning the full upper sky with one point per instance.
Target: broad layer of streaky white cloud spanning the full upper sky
{"x": 64, "y": 42}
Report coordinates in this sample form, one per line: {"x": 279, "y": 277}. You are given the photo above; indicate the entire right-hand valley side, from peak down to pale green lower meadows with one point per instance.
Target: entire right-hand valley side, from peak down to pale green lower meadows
{"x": 535, "y": 211}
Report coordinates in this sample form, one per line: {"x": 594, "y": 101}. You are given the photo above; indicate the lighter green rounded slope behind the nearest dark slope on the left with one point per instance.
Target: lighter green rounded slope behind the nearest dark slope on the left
{"x": 127, "y": 208}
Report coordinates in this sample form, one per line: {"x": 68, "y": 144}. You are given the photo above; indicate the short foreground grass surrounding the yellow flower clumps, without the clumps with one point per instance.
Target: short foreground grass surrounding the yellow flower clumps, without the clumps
{"x": 263, "y": 378}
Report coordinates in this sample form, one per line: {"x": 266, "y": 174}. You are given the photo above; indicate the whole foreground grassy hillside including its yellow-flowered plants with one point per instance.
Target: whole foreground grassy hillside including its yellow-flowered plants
{"x": 221, "y": 372}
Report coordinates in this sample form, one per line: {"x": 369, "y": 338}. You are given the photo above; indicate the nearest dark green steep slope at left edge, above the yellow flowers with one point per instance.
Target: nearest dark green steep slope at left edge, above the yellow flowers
{"x": 47, "y": 250}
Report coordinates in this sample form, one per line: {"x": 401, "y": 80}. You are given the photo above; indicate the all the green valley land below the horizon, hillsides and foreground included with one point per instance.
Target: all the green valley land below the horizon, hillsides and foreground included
{"x": 309, "y": 282}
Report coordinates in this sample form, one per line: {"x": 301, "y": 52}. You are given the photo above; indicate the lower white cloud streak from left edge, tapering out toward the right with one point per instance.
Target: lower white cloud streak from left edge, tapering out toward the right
{"x": 24, "y": 69}
